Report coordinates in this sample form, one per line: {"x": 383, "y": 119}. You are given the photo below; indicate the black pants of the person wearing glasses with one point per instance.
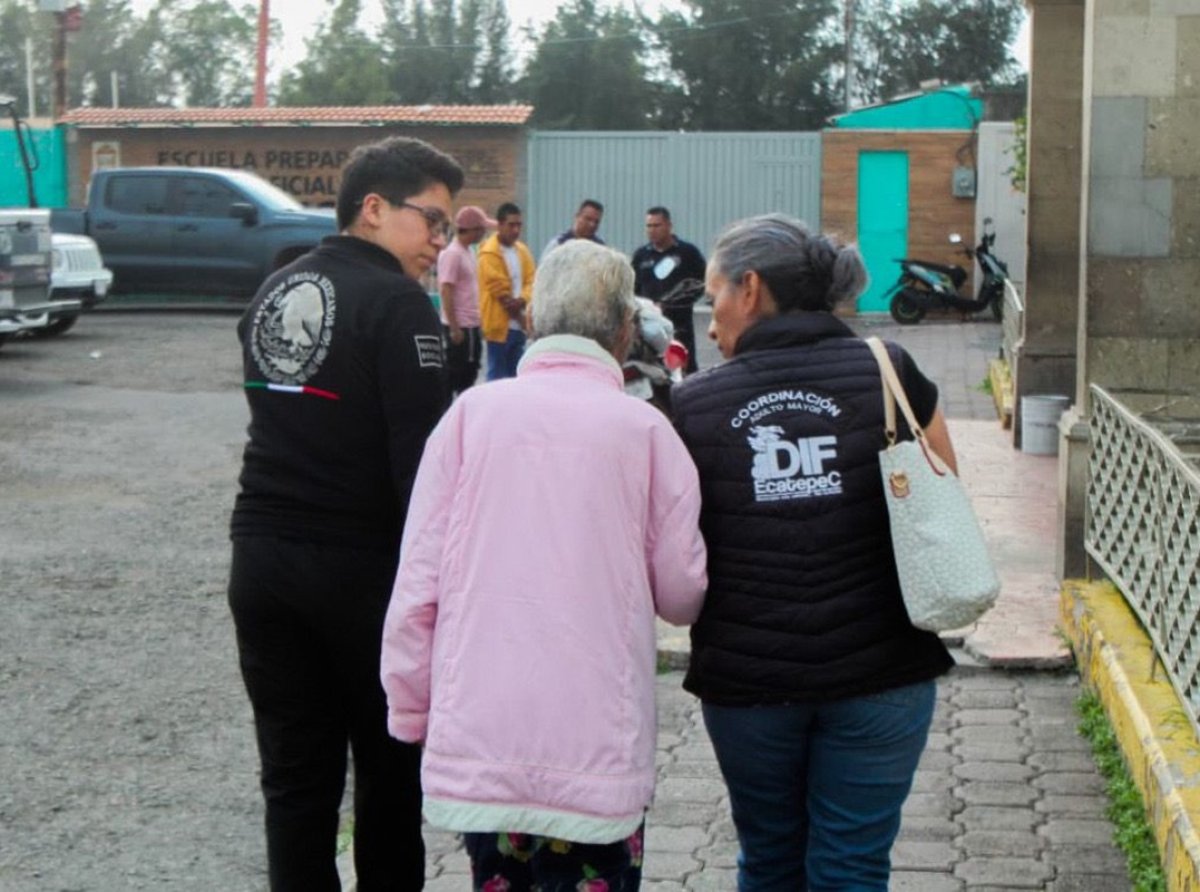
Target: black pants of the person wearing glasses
{"x": 309, "y": 621}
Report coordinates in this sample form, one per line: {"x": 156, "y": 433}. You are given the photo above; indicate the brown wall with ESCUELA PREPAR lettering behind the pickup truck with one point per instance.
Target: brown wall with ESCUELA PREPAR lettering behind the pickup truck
{"x": 302, "y": 160}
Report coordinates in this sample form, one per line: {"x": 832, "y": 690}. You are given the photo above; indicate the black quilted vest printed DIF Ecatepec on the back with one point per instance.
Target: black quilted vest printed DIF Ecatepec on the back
{"x": 803, "y": 600}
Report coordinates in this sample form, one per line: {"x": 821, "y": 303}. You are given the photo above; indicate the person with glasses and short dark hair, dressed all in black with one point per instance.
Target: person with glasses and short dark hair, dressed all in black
{"x": 344, "y": 375}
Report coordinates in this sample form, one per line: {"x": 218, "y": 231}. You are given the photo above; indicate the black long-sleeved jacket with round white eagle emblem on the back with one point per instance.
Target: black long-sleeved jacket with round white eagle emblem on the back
{"x": 345, "y": 379}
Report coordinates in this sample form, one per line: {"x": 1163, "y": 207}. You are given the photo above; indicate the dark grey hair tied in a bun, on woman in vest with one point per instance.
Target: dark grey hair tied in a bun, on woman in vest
{"x": 803, "y": 271}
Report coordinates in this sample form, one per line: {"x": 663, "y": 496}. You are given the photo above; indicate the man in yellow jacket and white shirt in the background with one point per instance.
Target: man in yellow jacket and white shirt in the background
{"x": 506, "y": 288}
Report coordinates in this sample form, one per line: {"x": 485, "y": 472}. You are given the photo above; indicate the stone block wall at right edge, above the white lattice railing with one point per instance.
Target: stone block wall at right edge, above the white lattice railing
{"x": 1142, "y": 268}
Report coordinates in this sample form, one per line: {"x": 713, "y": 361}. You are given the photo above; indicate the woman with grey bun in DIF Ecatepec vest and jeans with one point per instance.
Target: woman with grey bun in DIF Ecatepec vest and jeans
{"x": 818, "y": 692}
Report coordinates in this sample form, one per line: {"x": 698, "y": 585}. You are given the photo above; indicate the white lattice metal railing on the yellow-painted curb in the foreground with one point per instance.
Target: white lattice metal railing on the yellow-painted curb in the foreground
{"x": 1144, "y": 530}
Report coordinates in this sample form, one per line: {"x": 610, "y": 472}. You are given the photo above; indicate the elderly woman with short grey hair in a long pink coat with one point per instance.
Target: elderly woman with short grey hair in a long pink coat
{"x": 553, "y": 520}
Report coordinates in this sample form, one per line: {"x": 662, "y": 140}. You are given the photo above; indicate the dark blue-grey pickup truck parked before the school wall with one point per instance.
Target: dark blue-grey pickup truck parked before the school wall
{"x": 193, "y": 230}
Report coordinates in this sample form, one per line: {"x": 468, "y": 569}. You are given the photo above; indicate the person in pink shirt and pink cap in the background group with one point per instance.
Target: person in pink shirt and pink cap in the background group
{"x": 459, "y": 288}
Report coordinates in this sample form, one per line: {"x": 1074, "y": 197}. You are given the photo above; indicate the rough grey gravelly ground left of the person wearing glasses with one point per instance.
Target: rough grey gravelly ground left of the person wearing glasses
{"x": 127, "y": 744}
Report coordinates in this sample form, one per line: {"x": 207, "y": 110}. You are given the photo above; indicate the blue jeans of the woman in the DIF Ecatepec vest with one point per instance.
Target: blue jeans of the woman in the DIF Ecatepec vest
{"x": 817, "y": 789}
